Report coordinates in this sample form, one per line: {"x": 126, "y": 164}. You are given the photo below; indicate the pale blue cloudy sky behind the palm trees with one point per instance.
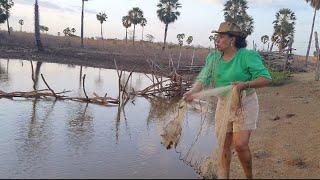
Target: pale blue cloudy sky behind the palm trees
{"x": 198, "y": 18}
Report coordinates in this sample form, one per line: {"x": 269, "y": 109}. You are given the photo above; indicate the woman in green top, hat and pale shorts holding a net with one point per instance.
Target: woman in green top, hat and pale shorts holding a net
{"x": 234, "y": 64}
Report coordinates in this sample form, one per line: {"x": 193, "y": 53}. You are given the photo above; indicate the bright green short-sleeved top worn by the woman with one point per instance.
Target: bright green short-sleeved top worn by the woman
{"x": 246, "y": 65}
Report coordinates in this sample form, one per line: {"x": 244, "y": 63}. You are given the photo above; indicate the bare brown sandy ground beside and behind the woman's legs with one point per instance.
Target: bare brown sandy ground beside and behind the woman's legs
{"x": 286, "y": 143}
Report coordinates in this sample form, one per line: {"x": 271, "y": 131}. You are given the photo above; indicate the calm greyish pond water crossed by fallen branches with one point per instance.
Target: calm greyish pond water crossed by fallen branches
{"x": 65, "y": 139}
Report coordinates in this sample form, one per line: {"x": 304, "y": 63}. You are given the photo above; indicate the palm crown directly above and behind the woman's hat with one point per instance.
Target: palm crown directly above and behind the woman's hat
{"x": 235, "y": 11}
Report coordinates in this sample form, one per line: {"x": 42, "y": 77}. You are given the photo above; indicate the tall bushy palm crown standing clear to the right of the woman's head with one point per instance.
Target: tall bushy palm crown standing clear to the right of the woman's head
{"x": 284, "y": 27}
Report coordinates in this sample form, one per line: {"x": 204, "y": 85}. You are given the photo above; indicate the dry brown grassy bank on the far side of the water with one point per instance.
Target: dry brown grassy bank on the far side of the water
{"x": 97, "y": 53}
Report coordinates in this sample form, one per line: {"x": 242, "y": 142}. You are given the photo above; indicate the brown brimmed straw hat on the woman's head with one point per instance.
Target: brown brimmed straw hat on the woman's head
{"x": 230, "y": 28}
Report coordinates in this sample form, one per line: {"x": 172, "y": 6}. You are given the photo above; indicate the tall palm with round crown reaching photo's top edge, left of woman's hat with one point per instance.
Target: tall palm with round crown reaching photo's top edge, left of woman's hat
{"x": 168, "y": 13}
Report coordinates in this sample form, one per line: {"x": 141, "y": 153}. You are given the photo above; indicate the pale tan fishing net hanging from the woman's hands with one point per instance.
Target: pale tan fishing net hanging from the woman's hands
{"x": 194, "y": 148}
